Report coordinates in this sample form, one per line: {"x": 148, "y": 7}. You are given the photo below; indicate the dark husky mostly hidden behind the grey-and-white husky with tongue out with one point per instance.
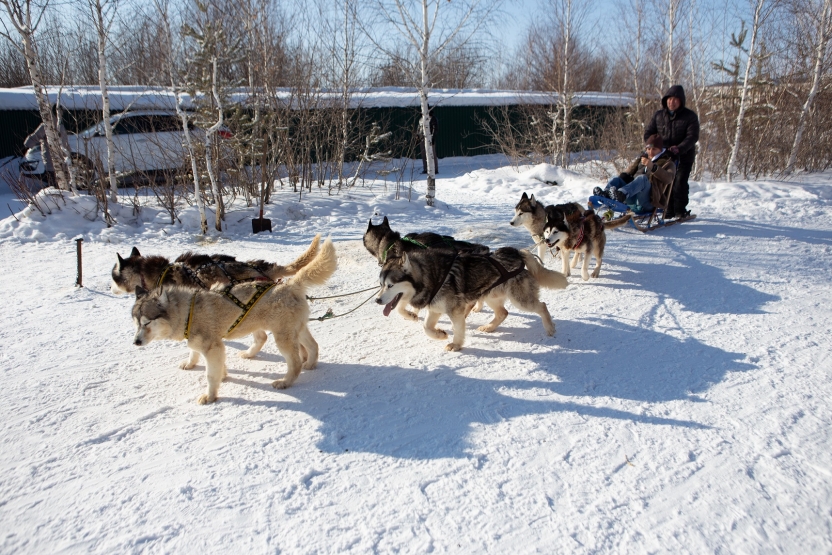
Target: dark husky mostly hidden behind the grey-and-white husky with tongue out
{"x": 384, "y": 243}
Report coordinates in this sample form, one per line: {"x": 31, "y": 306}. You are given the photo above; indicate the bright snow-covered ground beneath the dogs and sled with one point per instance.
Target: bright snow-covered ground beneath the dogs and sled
{"x": 683, "y": 405}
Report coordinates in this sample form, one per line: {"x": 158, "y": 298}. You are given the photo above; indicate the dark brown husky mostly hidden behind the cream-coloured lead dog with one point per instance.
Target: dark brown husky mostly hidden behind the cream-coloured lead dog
{"x": 199, "y": 270}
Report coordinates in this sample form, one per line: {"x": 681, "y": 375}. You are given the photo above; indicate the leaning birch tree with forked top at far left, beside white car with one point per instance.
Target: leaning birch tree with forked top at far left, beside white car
{"x": 25, "y": 16}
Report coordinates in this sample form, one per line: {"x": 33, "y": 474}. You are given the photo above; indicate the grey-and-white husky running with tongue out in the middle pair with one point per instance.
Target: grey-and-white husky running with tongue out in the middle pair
{"x": 449, "y": 283}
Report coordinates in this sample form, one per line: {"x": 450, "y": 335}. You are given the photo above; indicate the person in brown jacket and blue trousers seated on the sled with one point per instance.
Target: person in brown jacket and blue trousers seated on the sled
{"x": 645, "y": 182}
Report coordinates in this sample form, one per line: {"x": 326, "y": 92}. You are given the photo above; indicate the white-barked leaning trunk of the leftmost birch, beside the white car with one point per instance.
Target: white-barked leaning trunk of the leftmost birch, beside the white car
{"x": 20, "y": 14}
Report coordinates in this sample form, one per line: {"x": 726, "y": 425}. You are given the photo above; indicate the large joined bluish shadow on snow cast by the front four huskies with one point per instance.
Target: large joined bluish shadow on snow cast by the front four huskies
{"x": 414, "y": 413}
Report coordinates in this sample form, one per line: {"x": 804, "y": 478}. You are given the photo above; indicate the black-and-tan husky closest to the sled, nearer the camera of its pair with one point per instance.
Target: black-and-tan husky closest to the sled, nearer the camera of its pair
{"x": 585, "y": 235}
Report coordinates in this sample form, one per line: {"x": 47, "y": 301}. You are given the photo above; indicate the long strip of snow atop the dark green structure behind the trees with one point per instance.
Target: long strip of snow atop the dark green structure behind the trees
{"x": 144, "y": 98}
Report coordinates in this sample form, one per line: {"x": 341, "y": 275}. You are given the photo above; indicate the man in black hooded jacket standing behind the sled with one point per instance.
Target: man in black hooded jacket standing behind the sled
{"x": 679, "y": 128}
